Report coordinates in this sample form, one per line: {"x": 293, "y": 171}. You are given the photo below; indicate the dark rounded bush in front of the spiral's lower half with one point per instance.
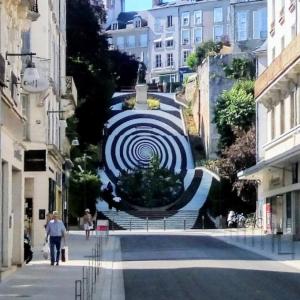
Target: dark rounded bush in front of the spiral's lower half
{"x": 151, "y": 187}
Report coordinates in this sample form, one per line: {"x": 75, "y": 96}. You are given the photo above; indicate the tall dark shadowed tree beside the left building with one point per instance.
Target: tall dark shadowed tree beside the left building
{"x": 96, "y": 70}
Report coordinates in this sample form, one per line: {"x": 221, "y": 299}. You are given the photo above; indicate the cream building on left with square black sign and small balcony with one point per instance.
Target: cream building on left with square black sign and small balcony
{"x": 47, "y": 148}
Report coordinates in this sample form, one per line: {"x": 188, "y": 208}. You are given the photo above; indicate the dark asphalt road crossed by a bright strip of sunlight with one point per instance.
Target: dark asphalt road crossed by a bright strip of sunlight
{"x": 200, "y": 267}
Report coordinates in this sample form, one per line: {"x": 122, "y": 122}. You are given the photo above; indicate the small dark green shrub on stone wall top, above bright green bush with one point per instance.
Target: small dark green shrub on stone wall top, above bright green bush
{"x": 240, "y": 68}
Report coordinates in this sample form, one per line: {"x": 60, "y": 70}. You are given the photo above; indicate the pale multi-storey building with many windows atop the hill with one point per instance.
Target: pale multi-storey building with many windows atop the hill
{"x": 176, "y": 29}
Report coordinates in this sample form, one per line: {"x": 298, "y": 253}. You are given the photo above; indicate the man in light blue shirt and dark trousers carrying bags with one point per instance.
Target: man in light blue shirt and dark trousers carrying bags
{"x": 56, "y": 230}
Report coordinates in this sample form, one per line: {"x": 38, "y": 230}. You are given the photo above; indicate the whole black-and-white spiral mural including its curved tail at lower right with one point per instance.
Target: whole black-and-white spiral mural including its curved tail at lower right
{"x": 134, "y": 137}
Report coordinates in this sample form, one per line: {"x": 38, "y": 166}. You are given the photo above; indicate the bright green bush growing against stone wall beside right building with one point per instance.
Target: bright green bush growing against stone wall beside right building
{"x": 235, "y": 109}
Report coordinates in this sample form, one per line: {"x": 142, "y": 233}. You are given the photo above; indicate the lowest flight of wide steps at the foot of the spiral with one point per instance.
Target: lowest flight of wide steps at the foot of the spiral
{"x": 151, "y": 220}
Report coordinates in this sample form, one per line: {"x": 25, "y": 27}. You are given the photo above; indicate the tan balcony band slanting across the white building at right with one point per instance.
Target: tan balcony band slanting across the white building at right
{"x": 287, "y": 57}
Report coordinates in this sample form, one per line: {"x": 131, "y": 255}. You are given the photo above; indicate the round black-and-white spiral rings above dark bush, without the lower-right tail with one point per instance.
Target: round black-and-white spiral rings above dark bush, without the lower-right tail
{"x": 134, "y": 137}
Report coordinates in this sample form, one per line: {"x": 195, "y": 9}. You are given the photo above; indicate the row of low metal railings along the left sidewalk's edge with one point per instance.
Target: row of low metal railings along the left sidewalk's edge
{"x": 85, "y": 288}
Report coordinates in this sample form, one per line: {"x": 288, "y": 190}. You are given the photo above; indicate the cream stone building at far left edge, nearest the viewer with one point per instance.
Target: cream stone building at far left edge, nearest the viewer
{"x": 16, "y": 16}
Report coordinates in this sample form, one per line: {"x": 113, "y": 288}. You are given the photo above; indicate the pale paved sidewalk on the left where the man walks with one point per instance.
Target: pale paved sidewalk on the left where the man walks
{"x": 38, "y": 280}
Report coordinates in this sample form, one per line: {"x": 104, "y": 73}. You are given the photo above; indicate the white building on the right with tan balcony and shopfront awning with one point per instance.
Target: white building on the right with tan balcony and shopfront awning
{"x": 277, "y": 95}
